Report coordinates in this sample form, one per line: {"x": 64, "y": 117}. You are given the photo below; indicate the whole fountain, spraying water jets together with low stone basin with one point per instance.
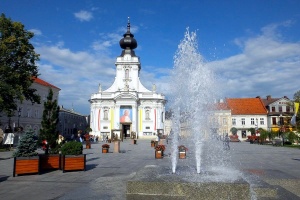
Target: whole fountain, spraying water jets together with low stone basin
{"x": 206, "y": 173}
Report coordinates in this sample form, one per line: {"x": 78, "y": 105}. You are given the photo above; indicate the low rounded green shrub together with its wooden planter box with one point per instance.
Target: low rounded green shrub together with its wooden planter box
{"x": 72, "y": 156}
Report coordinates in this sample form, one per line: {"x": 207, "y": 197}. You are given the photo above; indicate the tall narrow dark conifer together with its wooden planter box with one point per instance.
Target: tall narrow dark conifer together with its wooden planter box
{"x": 48, "y": 133}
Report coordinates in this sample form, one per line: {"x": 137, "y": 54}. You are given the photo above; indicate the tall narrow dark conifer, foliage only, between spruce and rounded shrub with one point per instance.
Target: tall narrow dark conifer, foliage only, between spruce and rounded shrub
{"x": 49, "y": 122}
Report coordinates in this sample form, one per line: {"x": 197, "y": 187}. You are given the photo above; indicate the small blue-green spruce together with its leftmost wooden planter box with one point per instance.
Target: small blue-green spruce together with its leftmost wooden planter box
{"x": 26, "y": 159}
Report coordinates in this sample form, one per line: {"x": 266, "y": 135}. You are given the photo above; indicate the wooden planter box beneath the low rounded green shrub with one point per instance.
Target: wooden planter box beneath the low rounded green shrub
{"x": 73, "y": 162}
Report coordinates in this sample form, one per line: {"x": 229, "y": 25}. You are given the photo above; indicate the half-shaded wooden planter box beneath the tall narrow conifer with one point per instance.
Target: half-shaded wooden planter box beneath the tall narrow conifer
{"x": 50, "y": 162}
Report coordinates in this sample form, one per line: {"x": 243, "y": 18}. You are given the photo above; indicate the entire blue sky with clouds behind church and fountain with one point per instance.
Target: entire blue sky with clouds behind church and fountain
{"x": 253, "y": 46}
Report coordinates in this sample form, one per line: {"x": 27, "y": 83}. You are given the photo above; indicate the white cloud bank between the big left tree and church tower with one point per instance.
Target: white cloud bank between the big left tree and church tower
{"x": 77, "y": 74}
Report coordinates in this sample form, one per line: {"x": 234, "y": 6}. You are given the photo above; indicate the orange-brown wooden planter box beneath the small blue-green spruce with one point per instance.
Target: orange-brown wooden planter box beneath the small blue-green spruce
{"x": 26, "y": 165}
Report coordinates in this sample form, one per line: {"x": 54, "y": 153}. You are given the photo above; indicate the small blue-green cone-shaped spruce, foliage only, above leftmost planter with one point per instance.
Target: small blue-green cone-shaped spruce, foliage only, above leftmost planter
{"x": 27, "y": 146}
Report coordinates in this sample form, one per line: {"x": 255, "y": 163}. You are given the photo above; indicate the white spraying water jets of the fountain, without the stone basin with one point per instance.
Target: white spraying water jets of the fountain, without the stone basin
{"x": 194, "y": 89}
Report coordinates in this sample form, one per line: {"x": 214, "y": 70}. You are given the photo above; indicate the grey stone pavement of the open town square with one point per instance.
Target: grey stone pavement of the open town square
{"x": 106, "y": 174}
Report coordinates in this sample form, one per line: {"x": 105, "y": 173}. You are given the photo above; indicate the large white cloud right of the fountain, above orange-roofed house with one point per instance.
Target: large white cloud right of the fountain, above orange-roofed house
{"x": 267, "y": 65}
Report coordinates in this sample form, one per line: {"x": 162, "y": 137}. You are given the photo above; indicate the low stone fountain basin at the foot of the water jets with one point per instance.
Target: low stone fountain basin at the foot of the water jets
{"x": 159, "y": 183}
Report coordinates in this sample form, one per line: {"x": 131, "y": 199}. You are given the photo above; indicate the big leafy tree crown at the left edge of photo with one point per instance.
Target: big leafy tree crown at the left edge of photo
{"x": 17, "y": 66}
